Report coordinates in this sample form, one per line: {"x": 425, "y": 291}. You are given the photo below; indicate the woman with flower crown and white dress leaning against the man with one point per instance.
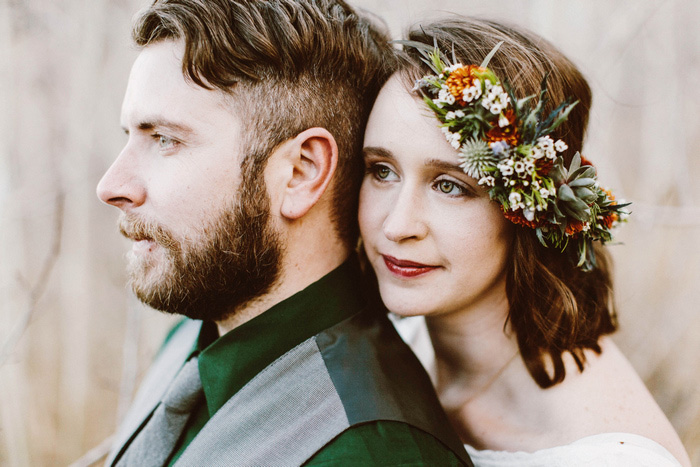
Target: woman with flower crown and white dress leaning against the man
{"x": 478, "y": 212}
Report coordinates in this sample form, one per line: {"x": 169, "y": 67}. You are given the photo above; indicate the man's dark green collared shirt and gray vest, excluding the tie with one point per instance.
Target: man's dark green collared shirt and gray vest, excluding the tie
{"x": 318, "y": 379}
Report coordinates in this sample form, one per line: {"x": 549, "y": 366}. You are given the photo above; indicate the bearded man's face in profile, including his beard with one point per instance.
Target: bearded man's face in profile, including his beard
{"x": 202, "y": 240}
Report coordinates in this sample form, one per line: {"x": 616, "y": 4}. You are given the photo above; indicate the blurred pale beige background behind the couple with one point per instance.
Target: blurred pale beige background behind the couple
{"x": 73, "y": 343}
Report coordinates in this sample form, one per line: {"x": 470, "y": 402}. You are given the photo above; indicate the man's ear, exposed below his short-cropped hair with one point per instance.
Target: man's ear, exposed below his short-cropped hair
{"x": 314, "y": 157}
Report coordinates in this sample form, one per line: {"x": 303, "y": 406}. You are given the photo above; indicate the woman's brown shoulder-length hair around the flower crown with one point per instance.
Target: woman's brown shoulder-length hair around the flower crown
{"x": 554, "y": 306}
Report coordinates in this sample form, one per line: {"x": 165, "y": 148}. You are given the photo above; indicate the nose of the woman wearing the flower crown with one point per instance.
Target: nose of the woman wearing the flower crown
{"x": 405, "y": 220}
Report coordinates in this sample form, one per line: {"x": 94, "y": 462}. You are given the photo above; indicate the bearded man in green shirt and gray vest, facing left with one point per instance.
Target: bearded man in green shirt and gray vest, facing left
{"x": 238, "y": 186}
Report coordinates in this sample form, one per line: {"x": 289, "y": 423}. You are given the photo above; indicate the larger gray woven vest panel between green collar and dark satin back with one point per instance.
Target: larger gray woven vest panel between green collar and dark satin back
{"x": 280, "y": 418}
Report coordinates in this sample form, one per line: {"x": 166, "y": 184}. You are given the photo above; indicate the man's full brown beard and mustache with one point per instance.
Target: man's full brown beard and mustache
{"x": 236, "y": 261}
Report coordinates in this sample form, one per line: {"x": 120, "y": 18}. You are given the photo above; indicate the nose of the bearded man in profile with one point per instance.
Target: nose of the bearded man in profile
{"x": 122, "y": 185}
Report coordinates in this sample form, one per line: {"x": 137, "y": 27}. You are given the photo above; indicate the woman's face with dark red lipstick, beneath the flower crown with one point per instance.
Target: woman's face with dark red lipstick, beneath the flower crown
{"x": 436, "y": 241}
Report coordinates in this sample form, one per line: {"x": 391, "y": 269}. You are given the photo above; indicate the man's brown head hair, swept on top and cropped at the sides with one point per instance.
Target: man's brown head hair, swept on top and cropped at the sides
{"x": 289, "y": 65}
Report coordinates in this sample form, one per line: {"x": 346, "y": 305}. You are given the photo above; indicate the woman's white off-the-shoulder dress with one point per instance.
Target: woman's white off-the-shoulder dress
{"x": 602, "y": 450}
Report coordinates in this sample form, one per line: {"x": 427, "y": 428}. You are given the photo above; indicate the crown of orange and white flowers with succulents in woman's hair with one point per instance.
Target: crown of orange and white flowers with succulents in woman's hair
{"x": 505, "y": 144}
